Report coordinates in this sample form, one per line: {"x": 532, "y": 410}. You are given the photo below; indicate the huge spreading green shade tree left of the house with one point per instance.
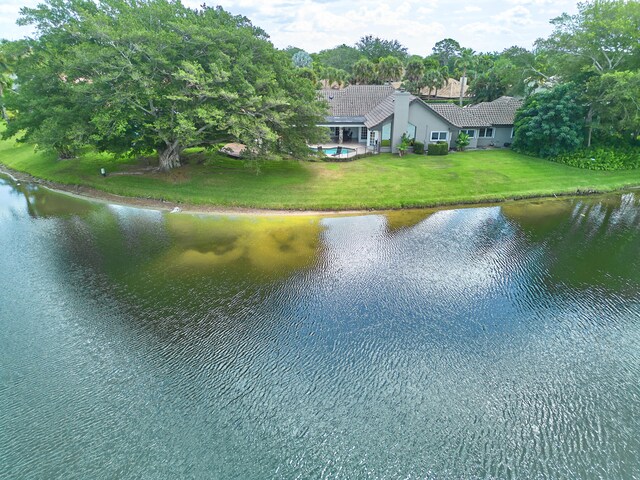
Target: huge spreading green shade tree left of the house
{"x": 152, "y": 75}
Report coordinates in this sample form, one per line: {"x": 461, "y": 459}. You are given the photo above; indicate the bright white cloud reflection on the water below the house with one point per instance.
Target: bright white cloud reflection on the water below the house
{"x": 466, "y": 250}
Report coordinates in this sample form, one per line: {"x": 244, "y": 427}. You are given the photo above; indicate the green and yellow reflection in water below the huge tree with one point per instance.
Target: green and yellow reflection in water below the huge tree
{"x": 174, "y": 267}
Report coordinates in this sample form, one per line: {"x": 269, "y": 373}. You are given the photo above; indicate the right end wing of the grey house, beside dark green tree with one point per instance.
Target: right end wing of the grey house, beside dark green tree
{"x": 500, "y": 114}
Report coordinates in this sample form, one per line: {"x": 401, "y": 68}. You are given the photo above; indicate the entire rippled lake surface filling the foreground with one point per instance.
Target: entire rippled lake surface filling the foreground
{"x": 495, "y": 342}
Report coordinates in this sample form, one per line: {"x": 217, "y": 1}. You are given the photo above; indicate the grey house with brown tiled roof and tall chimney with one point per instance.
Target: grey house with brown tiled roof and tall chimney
{"x": 378, "y": 115}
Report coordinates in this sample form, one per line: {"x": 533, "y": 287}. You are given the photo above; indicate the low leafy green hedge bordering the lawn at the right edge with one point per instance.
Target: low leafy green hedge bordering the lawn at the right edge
{"x": 602, "y": 158}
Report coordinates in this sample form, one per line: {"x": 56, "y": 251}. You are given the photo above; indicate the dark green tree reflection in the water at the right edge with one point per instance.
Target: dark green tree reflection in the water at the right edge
{"x": 592, "y": 241}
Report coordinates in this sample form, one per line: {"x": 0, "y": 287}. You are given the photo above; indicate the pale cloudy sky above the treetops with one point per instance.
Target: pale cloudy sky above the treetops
{"x": 314, "y": 25}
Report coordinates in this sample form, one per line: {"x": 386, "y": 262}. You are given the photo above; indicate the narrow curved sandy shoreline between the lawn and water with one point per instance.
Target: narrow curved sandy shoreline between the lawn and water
{"x": 96, "y": 195}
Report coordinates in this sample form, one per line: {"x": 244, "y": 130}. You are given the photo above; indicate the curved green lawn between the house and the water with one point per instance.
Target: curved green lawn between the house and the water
{"x": 382, "y": 181}
